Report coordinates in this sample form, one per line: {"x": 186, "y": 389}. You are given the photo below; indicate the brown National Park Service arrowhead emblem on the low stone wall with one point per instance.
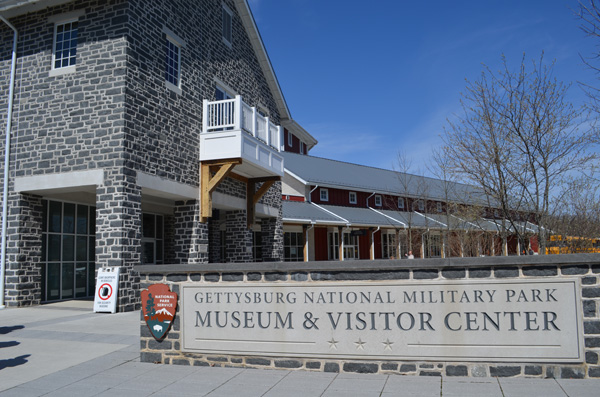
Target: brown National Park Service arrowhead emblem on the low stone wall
{"x": 159, "y": 305}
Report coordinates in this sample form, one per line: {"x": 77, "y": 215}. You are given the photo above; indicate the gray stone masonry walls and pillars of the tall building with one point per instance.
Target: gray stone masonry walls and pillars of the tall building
{"x": 114, "y": 112}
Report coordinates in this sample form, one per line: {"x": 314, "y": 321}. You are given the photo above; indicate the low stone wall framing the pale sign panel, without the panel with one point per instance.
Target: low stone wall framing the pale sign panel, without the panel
{"x": 586, "y": 267}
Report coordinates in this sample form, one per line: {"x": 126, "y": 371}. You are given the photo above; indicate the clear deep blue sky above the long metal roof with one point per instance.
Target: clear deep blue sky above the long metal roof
{"x": 372, "y": 79}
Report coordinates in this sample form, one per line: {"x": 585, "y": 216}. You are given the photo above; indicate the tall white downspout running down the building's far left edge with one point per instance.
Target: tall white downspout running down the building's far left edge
{"x": 7, "y": 159}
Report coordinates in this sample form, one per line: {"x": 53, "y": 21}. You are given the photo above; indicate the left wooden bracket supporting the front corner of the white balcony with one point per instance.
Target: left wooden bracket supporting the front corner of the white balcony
{"x": 208, "y": 183}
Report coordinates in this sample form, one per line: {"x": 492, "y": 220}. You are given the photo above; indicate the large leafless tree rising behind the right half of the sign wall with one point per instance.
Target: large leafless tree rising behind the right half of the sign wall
{"x": 517, "y": 140}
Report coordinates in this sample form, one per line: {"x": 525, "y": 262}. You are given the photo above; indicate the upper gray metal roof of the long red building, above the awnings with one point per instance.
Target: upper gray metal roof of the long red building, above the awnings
{"x": 342, "y": 175}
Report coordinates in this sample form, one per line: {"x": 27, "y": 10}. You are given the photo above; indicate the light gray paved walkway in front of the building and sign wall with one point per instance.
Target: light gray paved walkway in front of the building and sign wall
{"x": 66, "y": 350}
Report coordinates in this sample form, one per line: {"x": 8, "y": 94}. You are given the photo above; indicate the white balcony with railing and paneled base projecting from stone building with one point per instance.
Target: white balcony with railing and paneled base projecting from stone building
{"x": 233, "y": 129}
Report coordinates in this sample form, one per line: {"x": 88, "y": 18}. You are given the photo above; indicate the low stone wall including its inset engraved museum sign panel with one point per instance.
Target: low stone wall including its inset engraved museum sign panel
{"x": 515, "y": 316}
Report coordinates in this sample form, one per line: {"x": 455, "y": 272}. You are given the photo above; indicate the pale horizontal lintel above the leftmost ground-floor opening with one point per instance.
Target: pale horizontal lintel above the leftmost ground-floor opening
{"x": 59, "y": 181}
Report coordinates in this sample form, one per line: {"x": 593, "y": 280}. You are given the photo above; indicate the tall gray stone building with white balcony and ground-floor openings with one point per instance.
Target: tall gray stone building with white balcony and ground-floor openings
{"x": 142, "y": 132}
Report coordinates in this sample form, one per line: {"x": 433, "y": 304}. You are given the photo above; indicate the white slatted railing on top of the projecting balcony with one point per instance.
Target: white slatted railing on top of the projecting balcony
{"x": 235, "y": 114}
